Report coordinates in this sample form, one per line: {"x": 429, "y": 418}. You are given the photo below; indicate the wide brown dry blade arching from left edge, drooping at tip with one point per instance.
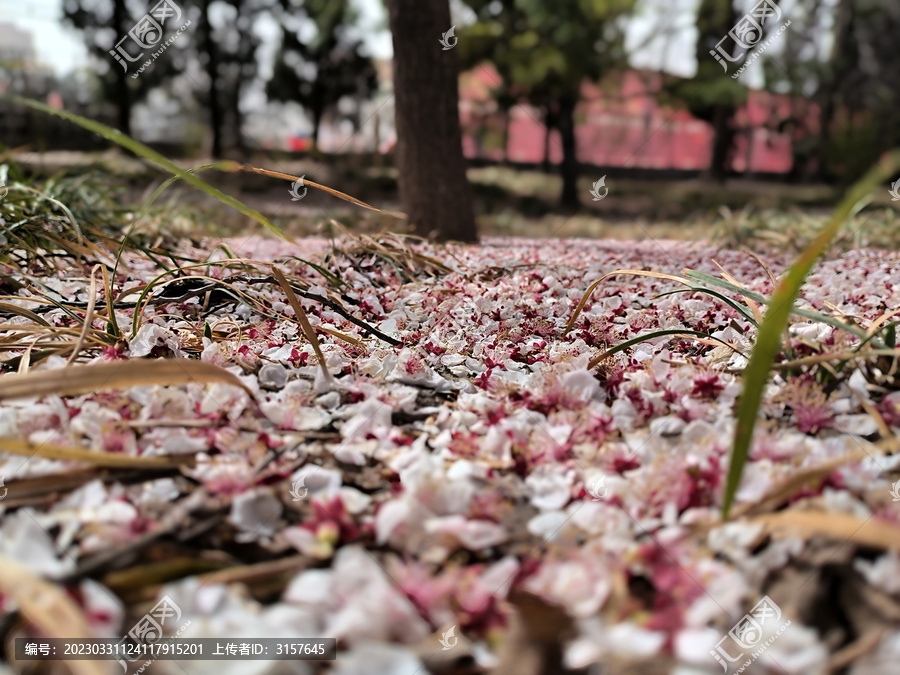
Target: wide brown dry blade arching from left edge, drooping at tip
{"x": 88, "y": 379}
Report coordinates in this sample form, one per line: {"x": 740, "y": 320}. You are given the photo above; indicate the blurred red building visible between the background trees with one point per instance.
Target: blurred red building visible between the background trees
{"x": 624, "y": 128}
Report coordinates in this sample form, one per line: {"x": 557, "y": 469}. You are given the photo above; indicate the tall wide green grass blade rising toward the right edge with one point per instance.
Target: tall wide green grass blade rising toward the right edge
{"x": 768, "y": 340}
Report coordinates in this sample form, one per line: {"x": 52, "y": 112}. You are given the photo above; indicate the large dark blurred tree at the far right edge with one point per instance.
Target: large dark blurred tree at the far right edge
{"x": 846, "y": 98}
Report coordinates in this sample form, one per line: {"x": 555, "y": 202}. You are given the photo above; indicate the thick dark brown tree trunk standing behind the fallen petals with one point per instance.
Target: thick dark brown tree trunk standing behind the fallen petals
{"x": 434, "y": 190}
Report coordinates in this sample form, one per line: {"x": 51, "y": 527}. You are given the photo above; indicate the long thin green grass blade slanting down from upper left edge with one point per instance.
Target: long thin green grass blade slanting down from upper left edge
{"x": 150, "y": 155}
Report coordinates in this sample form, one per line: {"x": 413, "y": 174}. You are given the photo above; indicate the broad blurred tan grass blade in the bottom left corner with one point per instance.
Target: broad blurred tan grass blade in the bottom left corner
{"x": 50, "y": 609}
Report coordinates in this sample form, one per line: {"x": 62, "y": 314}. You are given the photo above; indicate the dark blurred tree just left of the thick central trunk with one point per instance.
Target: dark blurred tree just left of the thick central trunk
{"x": 319, "y": 72}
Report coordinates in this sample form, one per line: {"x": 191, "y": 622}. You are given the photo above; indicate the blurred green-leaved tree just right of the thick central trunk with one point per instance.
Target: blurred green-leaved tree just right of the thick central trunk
{"x": 546, "y": 51}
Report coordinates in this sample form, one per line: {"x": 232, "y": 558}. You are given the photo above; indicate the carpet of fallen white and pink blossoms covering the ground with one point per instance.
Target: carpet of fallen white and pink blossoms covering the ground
{"x": 477, "y": 485}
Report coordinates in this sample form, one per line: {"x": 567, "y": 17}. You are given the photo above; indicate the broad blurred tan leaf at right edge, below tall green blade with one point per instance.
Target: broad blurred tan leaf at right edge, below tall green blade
{"x": 838, "y": 526}
